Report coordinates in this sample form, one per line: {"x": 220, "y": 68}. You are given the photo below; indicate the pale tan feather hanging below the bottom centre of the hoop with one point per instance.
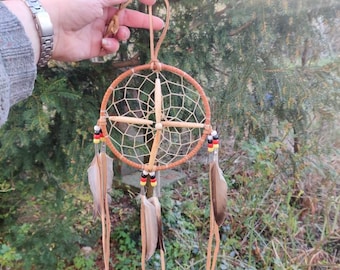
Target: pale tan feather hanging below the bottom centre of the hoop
{"x": 151, "y": 227}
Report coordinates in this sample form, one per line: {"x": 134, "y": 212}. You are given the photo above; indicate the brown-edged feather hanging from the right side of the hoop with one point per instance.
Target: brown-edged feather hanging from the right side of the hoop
{"x": 219, "y": 193}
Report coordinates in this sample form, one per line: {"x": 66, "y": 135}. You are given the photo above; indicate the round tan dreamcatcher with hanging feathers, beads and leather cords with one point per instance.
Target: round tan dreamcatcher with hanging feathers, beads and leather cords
{"x": 155, "y": 117}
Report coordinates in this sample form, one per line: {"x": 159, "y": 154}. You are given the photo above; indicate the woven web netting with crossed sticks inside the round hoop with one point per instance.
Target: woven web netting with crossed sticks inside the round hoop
{"x": 183, "y": 116}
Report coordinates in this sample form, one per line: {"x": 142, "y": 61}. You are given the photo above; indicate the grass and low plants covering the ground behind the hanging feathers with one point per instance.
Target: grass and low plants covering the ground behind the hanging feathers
{"x": 283, "y": 213}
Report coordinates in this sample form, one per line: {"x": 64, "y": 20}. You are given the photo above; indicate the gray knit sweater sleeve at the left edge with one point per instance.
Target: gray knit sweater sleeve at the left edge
{"x": 17, "y": 67}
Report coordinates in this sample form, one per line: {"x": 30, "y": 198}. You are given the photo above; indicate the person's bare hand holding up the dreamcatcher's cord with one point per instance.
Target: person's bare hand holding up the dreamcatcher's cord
{"x": 80, "y": 26}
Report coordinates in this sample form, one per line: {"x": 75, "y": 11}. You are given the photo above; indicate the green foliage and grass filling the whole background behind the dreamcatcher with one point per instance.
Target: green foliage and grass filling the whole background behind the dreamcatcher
{"x": 272, "y": 76}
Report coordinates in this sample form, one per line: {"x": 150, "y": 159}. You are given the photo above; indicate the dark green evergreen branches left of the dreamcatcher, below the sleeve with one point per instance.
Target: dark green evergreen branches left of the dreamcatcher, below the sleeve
{"x": 41, "y": 150}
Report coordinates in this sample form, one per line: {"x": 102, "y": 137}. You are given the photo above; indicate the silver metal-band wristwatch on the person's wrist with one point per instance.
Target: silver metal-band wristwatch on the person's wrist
{"x": 45, "y": 30}
